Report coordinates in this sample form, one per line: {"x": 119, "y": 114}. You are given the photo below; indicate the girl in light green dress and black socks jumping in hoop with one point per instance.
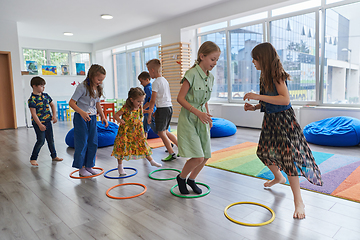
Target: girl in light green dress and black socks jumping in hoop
{"x": 194, "y": 120}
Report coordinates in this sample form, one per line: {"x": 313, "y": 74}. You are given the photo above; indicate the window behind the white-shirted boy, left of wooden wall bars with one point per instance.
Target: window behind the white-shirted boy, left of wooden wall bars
{"x": 129, "y": 61}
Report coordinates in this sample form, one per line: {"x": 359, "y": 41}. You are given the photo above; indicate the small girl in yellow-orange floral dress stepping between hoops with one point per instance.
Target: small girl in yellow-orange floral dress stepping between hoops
{"x": 130, "y": 142}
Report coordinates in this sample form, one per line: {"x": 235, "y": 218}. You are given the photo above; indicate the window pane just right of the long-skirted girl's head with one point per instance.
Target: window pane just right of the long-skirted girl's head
{"x": 294, "y": 40}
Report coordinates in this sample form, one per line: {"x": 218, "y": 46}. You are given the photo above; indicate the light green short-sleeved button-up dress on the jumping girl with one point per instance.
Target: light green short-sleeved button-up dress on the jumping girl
{"x": 194, "y": 136}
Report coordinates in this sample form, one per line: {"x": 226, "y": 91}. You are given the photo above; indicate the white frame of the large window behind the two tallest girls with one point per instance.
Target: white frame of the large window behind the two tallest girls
{"x": 320, "y": 28}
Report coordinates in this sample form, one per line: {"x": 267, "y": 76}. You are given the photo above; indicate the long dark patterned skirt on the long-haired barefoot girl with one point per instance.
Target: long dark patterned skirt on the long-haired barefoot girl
{"x": 282, "y": 143}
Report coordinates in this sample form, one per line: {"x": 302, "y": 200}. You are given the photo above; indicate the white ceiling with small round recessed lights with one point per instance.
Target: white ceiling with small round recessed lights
{"x": 49, "y": 19}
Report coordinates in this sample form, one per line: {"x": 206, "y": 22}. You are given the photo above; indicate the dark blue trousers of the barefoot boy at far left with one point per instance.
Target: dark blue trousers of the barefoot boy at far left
{"x": 40, "y": 140}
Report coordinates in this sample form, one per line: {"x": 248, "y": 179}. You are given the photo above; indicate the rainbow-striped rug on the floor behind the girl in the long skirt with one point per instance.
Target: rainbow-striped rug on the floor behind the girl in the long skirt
{"x": 340, "y": 173}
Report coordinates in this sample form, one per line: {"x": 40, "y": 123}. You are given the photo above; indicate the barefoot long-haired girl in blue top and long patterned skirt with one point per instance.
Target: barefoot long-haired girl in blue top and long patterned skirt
{"x": 282, "y": 145}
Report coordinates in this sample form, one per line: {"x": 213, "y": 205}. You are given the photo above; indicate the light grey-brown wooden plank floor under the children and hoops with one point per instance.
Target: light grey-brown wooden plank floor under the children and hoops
{"x": 45, "y": 203}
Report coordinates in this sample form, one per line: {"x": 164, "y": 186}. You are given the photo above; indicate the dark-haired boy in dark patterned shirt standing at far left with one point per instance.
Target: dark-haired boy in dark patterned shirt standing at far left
{"x": 41, "y": 119}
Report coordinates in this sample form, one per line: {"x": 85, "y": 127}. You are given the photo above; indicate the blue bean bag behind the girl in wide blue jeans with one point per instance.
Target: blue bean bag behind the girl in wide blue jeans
{"x": 106, "y": 136}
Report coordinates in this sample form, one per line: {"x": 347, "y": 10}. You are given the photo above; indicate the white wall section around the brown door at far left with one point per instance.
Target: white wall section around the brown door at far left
{"x": 9, "y": 43}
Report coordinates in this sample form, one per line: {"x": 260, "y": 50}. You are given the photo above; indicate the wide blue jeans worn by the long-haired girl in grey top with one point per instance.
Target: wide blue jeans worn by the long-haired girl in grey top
{"x": 85, "y": 141}
